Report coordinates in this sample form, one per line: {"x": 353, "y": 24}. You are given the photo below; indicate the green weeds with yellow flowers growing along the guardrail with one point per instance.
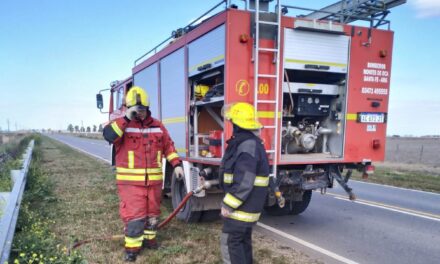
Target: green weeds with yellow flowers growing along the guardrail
{"x": 34, "y": 239}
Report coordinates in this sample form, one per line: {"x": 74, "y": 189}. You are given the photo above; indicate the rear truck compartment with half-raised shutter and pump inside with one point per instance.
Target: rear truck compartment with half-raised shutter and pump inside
{"x": 314, "y": 96}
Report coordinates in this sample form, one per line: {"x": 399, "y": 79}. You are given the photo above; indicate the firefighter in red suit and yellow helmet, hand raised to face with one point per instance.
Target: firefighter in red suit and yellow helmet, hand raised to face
{"x": 140, "y": 141}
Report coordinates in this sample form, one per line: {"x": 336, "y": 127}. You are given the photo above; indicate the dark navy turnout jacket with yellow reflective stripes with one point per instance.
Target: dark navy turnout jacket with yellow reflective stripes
{"x": 245, "y": 177}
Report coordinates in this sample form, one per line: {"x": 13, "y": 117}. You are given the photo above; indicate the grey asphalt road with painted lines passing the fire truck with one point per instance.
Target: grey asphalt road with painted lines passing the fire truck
{"x": 385, "y": 224}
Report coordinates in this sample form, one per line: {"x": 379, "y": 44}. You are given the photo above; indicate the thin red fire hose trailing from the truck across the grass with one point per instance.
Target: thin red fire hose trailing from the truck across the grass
{"x": 205, "y": 185}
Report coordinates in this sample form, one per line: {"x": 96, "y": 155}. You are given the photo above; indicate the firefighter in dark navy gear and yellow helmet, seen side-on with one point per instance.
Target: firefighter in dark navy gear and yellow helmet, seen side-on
{"x": 244, "y": 177}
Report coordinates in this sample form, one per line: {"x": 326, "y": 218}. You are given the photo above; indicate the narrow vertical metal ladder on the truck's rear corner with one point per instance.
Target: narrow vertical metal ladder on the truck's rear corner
{"x": 268, "y": 76}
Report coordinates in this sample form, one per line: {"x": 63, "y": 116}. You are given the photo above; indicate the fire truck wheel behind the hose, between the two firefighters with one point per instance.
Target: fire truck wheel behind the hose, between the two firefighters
{"x": 178, "y": 192}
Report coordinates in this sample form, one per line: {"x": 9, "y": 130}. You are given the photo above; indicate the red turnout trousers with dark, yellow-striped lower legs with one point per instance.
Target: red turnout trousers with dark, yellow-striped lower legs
{"x": 139, "y": 209}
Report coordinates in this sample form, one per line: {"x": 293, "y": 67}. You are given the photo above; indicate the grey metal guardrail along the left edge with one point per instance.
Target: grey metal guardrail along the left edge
{"x": 10, "y": 214}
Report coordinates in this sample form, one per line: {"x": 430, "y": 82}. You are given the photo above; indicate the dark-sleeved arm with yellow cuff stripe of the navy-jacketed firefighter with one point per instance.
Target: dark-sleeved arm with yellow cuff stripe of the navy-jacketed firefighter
{"x": 244, "y": 177}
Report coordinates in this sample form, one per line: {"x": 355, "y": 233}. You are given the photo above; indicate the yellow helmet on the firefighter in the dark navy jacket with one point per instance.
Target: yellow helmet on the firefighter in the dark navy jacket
{"x": 242, "y": 115}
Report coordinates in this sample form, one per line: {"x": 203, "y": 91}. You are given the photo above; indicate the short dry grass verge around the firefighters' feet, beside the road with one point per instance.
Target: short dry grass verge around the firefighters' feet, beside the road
{"x": 84, "y": 204}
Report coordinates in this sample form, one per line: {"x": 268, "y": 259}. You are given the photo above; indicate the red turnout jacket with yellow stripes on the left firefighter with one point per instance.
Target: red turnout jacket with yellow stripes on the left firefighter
{"x": 139, "y": 148}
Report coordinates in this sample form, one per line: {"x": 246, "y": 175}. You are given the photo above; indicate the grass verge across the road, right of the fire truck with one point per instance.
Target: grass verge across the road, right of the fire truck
{"x": 403, "y": 177}
